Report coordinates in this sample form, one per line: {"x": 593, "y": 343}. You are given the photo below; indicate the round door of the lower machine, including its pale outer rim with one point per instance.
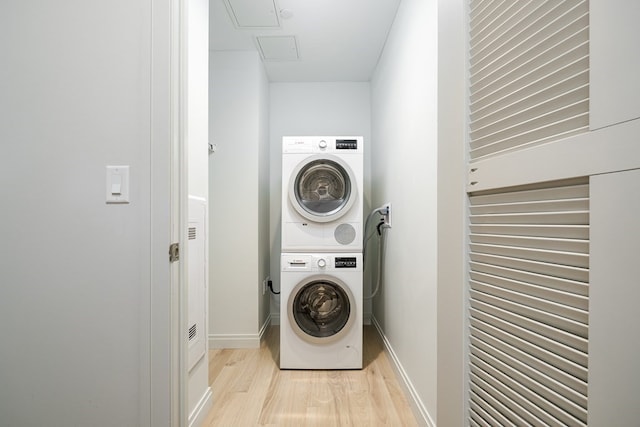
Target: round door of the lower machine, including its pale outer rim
{"x": 321, "y": 309}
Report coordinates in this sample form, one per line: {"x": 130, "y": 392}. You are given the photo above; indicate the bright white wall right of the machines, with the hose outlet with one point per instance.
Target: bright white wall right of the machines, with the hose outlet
{"x": 404, "y": 173}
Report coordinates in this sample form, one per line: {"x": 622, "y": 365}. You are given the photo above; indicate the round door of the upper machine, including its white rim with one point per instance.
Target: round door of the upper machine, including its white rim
{"x": 322, "y": 188}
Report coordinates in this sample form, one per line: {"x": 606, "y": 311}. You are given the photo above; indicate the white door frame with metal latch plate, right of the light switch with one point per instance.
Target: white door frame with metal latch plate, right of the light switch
{"x": 163, "y": 388}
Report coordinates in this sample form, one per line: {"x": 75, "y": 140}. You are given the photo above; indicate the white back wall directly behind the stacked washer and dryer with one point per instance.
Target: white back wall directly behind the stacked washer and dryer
{"x": 314, "y": 109}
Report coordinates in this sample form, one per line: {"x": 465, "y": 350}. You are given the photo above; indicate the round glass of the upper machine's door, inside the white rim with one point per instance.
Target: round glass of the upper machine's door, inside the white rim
{"x": 322, "y": 187}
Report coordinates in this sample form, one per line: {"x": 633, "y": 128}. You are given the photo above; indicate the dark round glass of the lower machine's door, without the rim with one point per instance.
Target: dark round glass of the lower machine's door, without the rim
{"x": 321, "y": 309}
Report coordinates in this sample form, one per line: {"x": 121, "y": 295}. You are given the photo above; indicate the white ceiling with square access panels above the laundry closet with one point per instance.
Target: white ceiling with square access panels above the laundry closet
{"x": 337, "y": 40}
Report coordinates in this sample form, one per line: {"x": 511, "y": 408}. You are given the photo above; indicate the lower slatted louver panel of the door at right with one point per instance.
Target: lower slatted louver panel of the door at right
{"x": 528, "y": 305}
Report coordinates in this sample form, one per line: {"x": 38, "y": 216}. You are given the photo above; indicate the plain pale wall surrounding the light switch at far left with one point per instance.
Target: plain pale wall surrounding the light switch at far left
{"x": 77, "y": 95}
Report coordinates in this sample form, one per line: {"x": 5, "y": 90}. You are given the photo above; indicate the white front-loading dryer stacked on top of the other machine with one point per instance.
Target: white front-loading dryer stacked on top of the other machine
{"x": 322, "y": 194}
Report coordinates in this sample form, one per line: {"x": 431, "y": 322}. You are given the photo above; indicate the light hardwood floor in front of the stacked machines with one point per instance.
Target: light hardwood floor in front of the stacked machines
{"x": 250, "y": 390}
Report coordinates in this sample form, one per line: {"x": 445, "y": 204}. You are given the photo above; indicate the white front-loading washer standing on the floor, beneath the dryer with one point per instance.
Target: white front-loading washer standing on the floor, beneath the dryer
{"x": 321, "y": 311}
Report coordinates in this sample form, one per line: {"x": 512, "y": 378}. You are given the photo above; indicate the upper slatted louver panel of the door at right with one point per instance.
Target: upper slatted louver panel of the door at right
{"x": 529, "y": 73}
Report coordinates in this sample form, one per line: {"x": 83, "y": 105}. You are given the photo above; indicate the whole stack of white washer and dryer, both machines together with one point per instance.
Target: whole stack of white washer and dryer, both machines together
{"x": 321, "y": 297}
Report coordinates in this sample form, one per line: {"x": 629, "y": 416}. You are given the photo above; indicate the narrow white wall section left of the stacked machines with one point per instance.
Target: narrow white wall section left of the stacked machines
{"x": 237, "y": 211}
